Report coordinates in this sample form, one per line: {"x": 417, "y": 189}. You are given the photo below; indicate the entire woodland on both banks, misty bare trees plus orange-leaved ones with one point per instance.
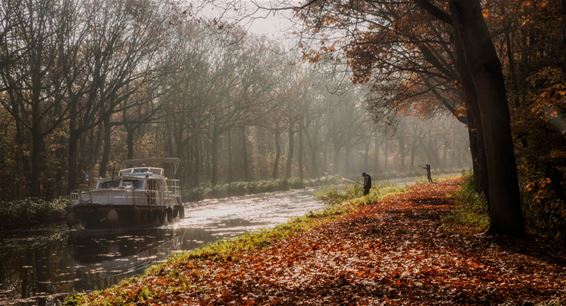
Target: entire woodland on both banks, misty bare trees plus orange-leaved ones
{"x": 86, "y": 84}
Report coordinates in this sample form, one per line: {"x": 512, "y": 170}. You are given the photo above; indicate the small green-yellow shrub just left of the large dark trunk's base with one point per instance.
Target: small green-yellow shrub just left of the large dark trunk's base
{"x": 471, "y": 208}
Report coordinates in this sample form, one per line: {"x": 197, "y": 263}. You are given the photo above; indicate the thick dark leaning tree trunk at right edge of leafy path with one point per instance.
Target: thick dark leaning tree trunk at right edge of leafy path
{"x": 485, "y": 68}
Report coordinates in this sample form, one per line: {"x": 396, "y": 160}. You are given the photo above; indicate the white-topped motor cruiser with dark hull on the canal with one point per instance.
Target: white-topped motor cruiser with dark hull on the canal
{"x": 140, "y": 195}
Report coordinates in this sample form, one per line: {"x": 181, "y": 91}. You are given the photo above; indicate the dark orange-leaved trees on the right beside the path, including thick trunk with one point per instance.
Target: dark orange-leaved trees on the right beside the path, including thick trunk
{"x": 497, "y": 66}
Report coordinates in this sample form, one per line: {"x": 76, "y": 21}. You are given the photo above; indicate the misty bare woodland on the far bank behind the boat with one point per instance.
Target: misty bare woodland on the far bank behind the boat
{"x": 87, "y": 84}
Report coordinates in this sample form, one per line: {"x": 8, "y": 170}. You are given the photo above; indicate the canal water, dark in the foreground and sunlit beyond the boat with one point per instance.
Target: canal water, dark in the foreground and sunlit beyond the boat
{"x": 41, "y": 266}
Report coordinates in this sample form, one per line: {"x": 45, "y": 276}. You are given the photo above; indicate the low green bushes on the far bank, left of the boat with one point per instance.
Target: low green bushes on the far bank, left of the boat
{"x": 31, "y": 211}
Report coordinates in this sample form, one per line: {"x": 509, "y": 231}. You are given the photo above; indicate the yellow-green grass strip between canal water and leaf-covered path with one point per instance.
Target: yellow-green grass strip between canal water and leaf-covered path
{"x": 226, "y": 249}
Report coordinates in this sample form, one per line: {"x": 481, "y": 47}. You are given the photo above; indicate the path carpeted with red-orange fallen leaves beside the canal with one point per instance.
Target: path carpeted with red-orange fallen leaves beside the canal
{"x": 395, "y": 251}
